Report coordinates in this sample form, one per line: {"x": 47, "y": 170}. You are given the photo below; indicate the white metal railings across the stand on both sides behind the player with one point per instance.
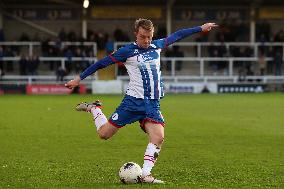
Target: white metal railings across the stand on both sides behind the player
{"x": 200, "y": 60}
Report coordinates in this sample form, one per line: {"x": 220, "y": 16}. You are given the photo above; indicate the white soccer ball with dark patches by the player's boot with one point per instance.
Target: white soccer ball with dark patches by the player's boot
{"x": 130, "y": 173}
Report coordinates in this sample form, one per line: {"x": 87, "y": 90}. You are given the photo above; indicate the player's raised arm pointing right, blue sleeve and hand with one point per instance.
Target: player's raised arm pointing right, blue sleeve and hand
{"x": 183, "y": 33}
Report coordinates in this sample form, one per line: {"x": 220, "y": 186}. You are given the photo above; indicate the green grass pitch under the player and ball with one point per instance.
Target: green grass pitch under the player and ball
{"x": 211, "y": 141}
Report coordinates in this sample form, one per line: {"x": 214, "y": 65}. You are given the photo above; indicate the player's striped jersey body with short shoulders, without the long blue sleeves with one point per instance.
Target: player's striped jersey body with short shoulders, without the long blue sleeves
{"x": 143, "y": 67}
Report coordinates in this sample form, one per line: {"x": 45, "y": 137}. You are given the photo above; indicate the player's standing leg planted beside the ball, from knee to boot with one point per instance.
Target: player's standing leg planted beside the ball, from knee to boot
{"x": 155, "y": 133}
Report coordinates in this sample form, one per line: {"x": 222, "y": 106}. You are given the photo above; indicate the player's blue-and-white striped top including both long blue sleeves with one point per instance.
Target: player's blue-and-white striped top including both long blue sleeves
{"x": 143, "y": 65}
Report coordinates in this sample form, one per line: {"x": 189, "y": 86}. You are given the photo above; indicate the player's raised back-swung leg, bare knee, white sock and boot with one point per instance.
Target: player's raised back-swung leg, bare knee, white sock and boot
{"x": 104, "y": 128}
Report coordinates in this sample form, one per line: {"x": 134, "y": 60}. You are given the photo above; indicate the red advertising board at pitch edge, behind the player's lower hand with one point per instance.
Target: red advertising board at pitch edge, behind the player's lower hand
{"x": 52, "y": 89}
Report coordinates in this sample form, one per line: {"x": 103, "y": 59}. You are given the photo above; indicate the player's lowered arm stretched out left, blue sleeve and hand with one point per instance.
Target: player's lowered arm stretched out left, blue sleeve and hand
{"x": 106, "y": 61}
